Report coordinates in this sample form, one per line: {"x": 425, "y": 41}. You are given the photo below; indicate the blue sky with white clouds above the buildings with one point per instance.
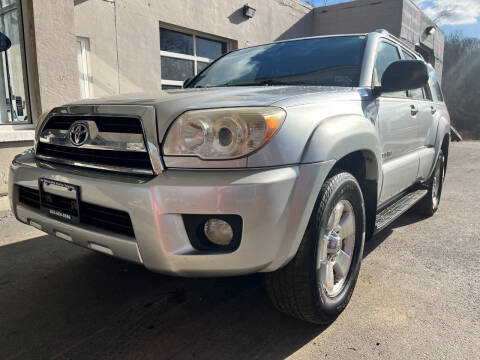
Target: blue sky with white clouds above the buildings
{"x": 451, "y": 15}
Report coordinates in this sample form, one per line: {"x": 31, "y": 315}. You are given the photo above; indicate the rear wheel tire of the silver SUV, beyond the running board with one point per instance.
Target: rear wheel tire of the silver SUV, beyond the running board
{"x": 430, "y": 202}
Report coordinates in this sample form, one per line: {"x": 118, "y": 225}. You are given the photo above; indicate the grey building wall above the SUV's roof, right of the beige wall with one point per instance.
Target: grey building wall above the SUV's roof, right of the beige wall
{"x": 361, "y": 16}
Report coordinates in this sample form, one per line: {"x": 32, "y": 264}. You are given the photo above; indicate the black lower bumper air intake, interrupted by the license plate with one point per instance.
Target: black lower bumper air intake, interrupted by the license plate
{"x": 96, "y": 216}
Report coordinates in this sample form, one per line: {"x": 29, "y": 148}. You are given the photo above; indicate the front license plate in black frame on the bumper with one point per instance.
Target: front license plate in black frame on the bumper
{"x": 59, "y": 200}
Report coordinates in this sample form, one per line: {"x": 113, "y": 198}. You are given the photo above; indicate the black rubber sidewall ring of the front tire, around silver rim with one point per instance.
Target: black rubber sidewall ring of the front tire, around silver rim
{"x": 348, "y": 189}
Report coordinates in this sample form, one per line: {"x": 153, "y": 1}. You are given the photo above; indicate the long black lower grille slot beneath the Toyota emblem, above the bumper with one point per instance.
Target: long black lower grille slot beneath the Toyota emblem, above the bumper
{"x": 121, "y": 159}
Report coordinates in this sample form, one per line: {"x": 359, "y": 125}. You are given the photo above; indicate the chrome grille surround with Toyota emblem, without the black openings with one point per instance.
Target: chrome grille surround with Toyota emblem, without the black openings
{"x": 148, "y": 142}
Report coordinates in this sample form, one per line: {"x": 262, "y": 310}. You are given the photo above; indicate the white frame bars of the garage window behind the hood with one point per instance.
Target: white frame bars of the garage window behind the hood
{"x": 194, "y": 58}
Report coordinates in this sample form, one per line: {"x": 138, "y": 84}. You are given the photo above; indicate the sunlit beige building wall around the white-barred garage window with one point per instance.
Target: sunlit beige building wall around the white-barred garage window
{"x": 136, "y": 24}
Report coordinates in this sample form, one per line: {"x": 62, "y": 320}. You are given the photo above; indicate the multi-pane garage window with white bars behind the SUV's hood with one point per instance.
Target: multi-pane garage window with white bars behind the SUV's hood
{"x": 184, "y": 55}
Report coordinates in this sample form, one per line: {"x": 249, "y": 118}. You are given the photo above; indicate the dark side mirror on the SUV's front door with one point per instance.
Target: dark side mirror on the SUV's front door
{"x": 403, "y": 75}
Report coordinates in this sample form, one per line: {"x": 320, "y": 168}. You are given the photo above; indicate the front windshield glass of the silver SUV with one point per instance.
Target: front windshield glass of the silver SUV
{"x": 330, "y": 61}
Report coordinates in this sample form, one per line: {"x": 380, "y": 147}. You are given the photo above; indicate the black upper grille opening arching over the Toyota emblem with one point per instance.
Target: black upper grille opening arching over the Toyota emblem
{"x": 104, "y": 124}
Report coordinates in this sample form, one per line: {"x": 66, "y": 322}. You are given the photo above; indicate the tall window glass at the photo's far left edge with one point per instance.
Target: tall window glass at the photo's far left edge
{"x": 13, "y": 87}
